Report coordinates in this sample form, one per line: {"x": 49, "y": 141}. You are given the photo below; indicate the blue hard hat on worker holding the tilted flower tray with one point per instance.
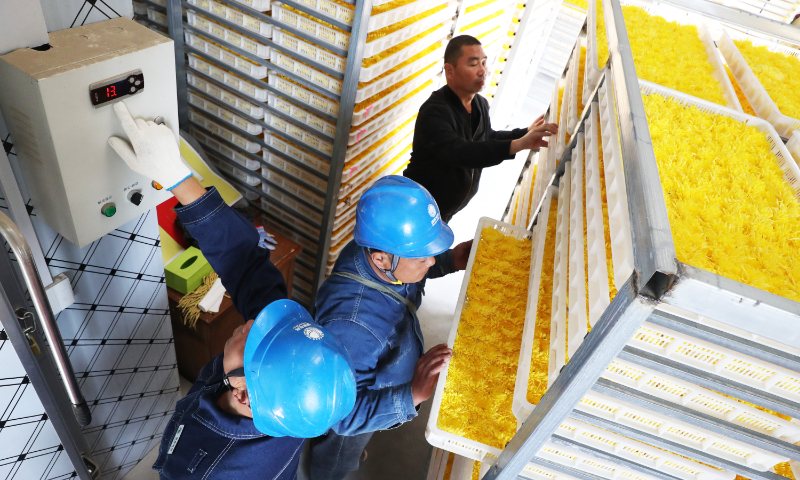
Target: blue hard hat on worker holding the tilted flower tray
{"x": 397, "y": 215}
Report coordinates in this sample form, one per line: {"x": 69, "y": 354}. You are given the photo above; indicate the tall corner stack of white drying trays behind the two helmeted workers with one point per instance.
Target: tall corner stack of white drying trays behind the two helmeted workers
{"x": 264, "y": 85}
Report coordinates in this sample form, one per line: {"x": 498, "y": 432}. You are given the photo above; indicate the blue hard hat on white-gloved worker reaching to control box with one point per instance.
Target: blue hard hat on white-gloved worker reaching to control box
{"x": 300, "y": 379}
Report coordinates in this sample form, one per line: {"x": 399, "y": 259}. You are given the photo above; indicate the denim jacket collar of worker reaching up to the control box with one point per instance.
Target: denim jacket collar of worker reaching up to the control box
{"x": 212, "y": 416}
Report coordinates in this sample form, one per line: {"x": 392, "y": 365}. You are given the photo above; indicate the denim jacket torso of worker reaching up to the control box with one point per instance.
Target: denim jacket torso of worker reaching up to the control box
{"x": 202, "y": 441}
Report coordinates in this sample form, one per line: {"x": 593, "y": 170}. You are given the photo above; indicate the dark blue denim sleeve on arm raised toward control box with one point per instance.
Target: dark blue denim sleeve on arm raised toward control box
{"x": 230, "y": 244}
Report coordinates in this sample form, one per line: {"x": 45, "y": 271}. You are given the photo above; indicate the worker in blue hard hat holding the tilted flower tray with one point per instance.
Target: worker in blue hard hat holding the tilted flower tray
{"x": 370, "y": 303}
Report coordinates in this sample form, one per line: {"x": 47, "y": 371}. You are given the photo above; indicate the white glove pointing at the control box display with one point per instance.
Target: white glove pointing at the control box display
{"x": 155, "y": 153}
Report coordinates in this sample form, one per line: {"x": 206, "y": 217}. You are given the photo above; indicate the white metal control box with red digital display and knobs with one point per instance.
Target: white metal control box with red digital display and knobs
{"x": 57, "y": 104}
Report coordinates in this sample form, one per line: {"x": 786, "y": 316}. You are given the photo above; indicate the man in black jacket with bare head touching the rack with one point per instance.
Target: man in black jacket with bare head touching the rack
{"x": 453, "y": 137}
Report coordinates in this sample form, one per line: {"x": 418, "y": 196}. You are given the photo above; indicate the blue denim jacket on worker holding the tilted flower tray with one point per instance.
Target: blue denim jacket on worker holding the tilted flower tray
{"x": 381, "y": 335}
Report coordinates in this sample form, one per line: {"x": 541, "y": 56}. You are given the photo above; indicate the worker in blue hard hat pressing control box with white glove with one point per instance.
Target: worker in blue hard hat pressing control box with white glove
{"x": 281, "y": 378}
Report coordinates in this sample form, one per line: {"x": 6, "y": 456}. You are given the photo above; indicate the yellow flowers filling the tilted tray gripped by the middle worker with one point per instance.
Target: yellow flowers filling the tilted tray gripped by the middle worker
{"x": 480, "y": 381}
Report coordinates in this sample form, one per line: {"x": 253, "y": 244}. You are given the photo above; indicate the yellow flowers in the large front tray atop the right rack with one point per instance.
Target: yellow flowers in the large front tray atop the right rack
{"x": 730, "y": 210}
